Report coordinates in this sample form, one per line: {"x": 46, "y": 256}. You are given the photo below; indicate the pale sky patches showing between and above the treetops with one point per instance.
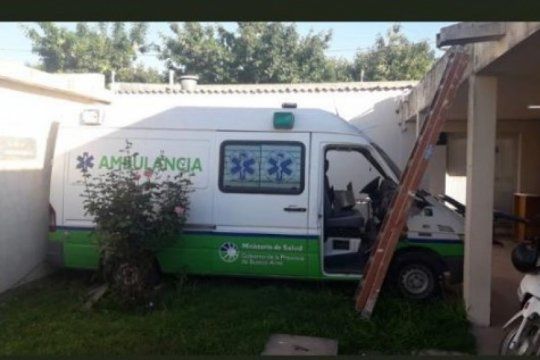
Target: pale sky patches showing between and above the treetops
{"x": 347, "y": 37}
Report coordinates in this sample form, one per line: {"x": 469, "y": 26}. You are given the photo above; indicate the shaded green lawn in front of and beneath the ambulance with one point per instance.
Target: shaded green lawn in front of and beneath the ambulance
{"x": 207, "y": 316}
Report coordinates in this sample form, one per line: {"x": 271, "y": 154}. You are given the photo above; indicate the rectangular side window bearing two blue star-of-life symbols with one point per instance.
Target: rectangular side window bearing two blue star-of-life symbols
{"x": 265, "y": 167}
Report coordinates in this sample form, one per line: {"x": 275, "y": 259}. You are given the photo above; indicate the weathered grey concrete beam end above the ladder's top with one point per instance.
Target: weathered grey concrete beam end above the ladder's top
{"x": 469, "y": 32}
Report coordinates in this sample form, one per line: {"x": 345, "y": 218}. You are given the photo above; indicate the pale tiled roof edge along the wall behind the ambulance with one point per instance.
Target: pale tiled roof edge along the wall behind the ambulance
{"x": 141, "y": 88}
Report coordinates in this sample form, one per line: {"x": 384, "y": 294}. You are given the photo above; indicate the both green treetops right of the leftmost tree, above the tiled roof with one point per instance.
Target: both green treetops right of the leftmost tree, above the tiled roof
{"x": 272, "y": 52}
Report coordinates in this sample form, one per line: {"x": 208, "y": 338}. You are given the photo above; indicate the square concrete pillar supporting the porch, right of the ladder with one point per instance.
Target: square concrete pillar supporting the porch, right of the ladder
{"x": 481, "y": 135}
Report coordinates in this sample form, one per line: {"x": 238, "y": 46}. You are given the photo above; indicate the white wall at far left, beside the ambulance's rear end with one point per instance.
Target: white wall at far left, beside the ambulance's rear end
{"x": 27, "y": 119}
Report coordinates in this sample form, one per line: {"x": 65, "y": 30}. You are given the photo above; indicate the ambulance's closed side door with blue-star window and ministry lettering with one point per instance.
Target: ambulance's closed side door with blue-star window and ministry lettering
{"x": 261, "y": 202}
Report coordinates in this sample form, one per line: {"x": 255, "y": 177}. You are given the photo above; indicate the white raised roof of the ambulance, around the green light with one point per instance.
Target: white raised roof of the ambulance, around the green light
{"x": 224, "y": 119}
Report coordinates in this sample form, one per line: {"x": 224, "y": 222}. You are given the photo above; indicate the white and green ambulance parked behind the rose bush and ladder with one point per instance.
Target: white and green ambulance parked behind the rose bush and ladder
{"x": 277, "y": 192}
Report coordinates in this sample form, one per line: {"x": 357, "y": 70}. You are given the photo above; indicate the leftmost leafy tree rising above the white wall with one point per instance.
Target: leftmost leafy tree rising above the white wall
{"x": 103, "y": 48}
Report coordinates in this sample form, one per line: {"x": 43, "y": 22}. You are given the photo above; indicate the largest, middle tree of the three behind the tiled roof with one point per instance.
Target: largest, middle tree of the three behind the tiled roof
{"x": 257, "y": 52}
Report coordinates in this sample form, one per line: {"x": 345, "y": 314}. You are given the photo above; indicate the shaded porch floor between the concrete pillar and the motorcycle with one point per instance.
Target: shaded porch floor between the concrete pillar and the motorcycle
{"x": 504, "y": 301}
